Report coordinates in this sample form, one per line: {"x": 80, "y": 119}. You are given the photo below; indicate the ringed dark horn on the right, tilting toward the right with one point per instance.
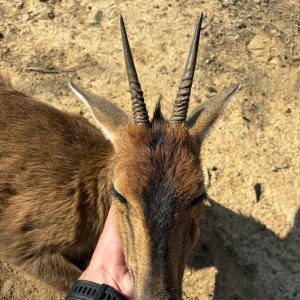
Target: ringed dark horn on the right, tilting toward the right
{"x": 183, "y": 96}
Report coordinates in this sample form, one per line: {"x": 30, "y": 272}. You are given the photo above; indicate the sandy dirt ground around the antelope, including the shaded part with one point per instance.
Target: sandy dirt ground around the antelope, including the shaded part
{"x": 250, "y": 246}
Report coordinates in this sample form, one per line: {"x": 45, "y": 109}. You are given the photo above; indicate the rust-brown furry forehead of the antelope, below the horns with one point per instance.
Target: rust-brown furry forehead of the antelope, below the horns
{"x": 158, "y": 158}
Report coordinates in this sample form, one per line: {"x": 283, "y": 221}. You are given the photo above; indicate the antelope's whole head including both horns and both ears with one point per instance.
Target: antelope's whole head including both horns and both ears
{"x": 157, "y": 184}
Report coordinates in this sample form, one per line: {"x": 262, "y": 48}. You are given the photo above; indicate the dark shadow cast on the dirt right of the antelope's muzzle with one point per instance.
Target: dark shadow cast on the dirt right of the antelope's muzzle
{"x": 247, "y": 255}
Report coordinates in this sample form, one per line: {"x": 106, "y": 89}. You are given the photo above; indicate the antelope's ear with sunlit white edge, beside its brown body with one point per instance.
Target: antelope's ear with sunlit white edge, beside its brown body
{"x": 110, "y": 118}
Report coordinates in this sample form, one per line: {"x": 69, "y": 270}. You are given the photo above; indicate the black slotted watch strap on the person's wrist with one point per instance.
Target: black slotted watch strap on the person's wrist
{"x": 88, "y": 290}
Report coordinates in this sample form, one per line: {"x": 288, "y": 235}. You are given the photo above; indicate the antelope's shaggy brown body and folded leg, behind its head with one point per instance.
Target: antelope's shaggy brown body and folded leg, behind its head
{"x": 52, "y": 169}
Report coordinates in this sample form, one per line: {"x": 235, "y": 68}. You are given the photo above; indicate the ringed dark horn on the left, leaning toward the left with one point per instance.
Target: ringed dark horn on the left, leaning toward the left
{"x": 140, "y": 113}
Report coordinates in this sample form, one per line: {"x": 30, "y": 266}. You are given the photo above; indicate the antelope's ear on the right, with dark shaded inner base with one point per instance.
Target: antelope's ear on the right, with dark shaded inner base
{"x": 203, "y": 117}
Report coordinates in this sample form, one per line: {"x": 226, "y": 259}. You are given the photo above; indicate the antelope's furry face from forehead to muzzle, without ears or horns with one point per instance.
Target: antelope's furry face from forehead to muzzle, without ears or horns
{"x": 148, "y": 159}
